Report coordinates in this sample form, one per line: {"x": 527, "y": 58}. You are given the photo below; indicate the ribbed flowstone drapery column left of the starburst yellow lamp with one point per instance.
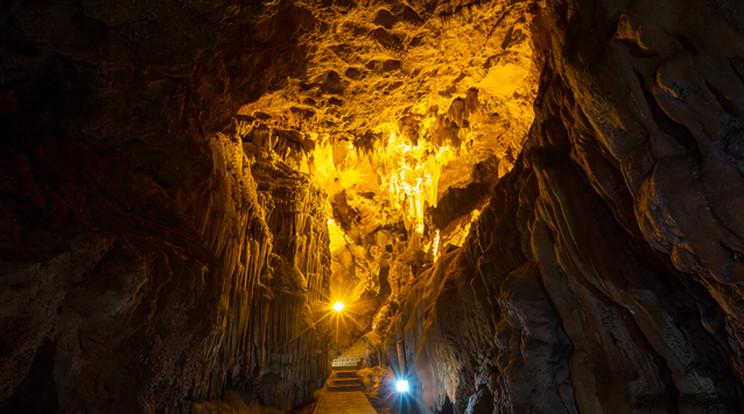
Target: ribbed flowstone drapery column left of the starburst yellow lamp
{"x": 275, "y": 264}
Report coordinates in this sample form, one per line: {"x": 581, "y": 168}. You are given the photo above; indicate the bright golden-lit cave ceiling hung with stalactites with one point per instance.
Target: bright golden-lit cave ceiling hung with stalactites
{"x": 404, "y": 113}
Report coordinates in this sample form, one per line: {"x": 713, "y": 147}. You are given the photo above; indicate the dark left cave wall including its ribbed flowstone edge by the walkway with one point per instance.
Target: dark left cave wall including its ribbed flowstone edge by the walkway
{"x": 140, "y": 268}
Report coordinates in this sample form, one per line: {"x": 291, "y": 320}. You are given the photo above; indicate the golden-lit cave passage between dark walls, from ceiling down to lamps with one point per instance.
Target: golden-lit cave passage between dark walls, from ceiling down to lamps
{"x": 399, "y": 151}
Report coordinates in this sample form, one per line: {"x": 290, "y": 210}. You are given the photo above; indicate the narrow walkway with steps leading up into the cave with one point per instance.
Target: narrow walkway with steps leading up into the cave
{"x": 343, "y": 391}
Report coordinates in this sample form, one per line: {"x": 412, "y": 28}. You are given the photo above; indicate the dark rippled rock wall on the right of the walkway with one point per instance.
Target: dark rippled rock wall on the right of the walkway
{"x": 605, "y": 273}
